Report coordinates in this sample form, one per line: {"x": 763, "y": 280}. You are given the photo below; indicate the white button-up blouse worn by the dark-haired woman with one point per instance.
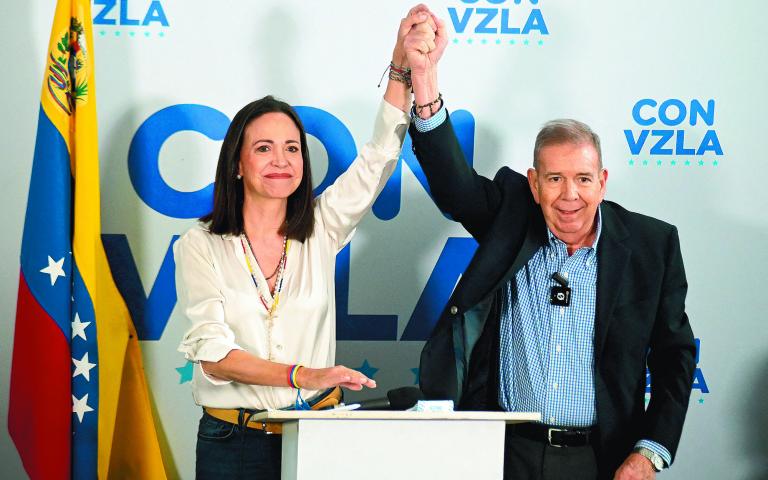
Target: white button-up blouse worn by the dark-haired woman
{"x": 216, "y": 292}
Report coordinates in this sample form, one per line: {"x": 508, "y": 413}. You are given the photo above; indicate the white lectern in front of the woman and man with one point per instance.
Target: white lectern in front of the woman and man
{"x": 375, "y": 445}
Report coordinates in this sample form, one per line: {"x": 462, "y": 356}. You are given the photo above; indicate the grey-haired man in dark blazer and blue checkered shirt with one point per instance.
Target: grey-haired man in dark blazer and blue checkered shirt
{"x": 496, "y": 345}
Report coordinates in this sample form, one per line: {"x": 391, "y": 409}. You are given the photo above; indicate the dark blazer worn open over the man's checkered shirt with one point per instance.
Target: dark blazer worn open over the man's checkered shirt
{"x": 640, "y": 318}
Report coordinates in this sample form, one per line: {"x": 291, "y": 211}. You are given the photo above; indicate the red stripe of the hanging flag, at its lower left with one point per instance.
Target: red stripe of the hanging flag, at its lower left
{"x": 40, "y": 406}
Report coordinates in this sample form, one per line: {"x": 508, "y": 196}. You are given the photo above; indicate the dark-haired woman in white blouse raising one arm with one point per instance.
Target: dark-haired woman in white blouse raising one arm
{"x": 256, "y": 278}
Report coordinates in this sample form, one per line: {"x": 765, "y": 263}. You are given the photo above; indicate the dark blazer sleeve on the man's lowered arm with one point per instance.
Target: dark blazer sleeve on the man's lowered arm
{"x": 671, "y": 359}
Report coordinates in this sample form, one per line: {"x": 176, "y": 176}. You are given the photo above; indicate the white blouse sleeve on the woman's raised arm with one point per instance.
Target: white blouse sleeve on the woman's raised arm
{"x": 344, "y": 203}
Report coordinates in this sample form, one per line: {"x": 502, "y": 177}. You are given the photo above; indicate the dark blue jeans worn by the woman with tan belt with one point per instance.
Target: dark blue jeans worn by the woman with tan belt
{"x": 229, "y": 452}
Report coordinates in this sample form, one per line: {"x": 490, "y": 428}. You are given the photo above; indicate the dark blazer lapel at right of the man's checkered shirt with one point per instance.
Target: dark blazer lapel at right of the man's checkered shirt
{"x": 613, "y": 257}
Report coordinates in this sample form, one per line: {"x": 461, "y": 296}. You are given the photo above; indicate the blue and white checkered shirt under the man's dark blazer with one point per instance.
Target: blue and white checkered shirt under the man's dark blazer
{"x": 547, "y": 361}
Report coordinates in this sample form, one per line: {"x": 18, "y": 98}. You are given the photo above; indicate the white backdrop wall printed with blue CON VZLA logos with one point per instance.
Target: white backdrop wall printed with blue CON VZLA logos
{"x": 593, "y": 61}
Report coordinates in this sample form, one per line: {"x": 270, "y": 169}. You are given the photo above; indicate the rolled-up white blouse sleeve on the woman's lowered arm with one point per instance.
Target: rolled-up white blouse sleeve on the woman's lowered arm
{"x": 200, "y": 298}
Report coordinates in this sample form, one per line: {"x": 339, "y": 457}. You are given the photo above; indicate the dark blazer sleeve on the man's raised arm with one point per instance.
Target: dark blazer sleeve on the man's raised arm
{"x": 457, "y": 188}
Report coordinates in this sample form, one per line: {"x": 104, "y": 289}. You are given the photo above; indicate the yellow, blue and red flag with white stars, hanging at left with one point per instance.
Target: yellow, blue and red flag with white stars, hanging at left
{"x": 79, "y": 405}
